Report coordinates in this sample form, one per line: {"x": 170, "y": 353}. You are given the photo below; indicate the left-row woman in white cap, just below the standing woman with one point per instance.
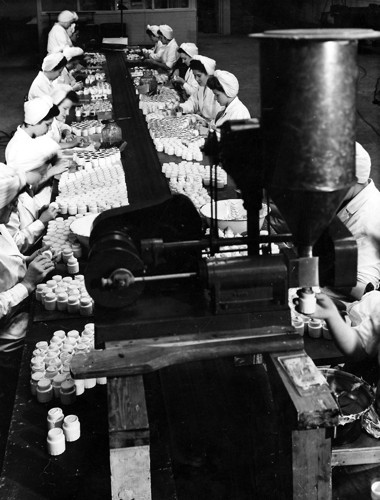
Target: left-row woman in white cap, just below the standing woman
{"x": 52, "y": 67}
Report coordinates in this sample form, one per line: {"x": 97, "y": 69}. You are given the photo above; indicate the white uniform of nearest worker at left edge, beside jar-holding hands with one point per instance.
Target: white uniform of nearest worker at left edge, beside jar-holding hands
{"x": 12, "y": 271}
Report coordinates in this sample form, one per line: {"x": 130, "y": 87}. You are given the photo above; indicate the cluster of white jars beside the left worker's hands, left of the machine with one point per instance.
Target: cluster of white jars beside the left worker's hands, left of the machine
{"x": 66, "y": 294}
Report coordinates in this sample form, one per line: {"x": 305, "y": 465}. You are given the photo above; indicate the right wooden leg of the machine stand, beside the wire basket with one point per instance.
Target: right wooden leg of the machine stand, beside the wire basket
{"x": 311, "y": 464}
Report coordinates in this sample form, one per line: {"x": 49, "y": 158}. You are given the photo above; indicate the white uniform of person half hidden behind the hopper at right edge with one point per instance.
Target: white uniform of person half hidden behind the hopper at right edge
{"x": 361, "y": 217}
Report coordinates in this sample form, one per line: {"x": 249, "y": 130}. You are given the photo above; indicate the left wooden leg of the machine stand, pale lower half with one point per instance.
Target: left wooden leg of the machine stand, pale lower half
{"x": 129, "y": 439}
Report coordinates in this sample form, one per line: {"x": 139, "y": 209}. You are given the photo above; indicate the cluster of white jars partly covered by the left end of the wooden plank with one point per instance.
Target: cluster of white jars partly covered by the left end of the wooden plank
{"x": 50, "y": 366}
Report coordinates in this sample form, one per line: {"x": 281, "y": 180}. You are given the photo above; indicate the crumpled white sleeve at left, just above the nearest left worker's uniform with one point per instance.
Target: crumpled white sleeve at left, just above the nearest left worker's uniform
{"x": 24, "y": 226}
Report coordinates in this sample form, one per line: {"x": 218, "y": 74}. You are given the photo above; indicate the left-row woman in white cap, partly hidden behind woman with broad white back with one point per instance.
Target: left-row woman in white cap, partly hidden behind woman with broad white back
{"x": 64, "y": 98}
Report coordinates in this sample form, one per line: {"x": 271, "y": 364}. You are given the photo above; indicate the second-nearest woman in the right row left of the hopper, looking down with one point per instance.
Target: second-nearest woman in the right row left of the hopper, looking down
{"x": 202, "y": 102}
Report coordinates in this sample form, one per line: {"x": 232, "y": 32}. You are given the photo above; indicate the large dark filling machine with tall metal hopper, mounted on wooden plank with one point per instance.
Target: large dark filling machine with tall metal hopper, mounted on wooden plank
{"x": 146, "y": 271}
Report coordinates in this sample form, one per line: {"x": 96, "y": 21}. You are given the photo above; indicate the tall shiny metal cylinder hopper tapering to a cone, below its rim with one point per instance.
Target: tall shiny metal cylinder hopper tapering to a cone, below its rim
{"x": 308, "y": 118}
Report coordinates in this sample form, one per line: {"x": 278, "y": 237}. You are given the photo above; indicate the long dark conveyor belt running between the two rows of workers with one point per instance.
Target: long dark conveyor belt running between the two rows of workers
{"x": 145, "y": 183}
